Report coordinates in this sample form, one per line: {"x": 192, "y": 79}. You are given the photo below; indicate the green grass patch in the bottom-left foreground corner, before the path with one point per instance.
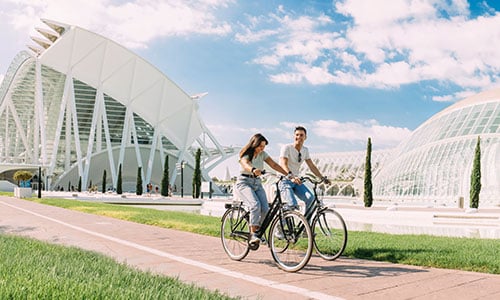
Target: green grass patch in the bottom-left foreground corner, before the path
{"x": 35, "y": 270}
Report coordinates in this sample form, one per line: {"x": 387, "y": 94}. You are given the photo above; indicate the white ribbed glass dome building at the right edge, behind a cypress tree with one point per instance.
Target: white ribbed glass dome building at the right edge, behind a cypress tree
{"x": 434, "y": 164}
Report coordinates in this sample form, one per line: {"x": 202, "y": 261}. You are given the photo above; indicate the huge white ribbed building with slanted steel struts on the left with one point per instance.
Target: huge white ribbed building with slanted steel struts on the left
{"x": 81, "y": 104}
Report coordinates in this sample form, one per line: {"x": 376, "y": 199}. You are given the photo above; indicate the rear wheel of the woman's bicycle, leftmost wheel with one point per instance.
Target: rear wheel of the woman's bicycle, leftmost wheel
{"x": 234, "y": 233}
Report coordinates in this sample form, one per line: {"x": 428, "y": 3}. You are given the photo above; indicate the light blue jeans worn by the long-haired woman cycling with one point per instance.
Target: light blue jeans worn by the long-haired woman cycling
{"x": 250, "y": 191}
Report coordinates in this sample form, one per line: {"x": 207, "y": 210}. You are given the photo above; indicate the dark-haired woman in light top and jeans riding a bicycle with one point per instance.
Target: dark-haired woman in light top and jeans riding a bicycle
{"x": 249, "y": 186}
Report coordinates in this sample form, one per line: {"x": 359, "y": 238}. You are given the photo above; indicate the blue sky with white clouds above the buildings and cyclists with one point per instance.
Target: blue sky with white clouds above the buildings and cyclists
{"x": 346, "y": 70}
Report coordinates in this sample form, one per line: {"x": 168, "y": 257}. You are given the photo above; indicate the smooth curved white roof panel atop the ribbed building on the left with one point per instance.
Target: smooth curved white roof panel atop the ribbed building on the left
{"x": 126, "y": 77}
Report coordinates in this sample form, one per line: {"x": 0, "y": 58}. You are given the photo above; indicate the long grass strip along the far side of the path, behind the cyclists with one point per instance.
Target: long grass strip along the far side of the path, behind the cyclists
{"x": 469, "y": 254}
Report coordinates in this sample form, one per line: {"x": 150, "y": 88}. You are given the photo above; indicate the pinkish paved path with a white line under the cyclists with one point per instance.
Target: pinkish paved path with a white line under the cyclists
{"x": 201, "y": 260}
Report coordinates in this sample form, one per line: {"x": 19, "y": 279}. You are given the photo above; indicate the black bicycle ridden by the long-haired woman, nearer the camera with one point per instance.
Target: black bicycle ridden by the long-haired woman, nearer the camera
{"x": 289, "y": 235}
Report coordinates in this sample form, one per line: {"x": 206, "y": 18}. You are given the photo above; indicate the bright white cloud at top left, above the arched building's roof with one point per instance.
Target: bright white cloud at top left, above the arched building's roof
{"x": 131, "y": 23}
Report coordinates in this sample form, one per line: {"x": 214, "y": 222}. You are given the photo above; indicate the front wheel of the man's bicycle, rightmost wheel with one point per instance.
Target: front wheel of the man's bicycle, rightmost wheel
{"x": 330, "y": 234}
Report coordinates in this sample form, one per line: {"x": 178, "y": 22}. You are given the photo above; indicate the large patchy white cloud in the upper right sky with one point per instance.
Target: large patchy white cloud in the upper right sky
{"x": 385, "y": 44}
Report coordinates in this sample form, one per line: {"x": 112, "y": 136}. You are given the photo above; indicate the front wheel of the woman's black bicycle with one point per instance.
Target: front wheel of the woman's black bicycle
{"x": 291, "y": 242}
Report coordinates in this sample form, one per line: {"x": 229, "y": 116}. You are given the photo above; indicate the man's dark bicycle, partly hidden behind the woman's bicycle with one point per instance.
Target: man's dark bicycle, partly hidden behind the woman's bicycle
{"x": 328, "y": 226}
